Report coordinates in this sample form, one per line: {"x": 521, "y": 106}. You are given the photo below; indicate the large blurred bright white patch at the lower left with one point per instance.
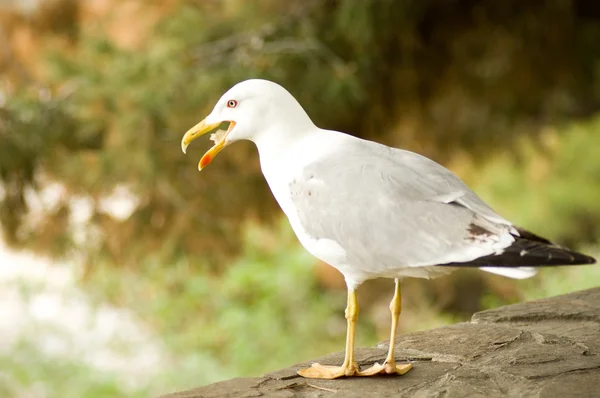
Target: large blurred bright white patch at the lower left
{"x": 41, "y": 306}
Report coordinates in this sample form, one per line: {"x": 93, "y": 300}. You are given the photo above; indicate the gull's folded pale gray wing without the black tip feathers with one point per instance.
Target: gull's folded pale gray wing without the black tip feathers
{"x": 390, "y": 208}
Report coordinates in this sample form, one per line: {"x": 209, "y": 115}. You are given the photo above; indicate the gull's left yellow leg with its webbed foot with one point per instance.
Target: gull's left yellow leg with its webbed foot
{"x": 349, "y": 367}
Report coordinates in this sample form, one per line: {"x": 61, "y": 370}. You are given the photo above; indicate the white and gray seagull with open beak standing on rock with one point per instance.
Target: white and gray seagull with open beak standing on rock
{"x": 369, "y": 210}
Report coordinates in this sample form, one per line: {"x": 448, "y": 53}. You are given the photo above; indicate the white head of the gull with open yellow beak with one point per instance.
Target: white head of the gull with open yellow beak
{"x": 253, "y": 108}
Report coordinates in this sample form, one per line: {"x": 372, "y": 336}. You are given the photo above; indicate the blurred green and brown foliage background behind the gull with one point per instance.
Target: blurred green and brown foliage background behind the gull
{"x": 125, "y": 272}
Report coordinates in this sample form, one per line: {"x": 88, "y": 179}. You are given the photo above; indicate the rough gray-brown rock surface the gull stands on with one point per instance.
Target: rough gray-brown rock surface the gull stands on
{"x": 544, "y": 348}
